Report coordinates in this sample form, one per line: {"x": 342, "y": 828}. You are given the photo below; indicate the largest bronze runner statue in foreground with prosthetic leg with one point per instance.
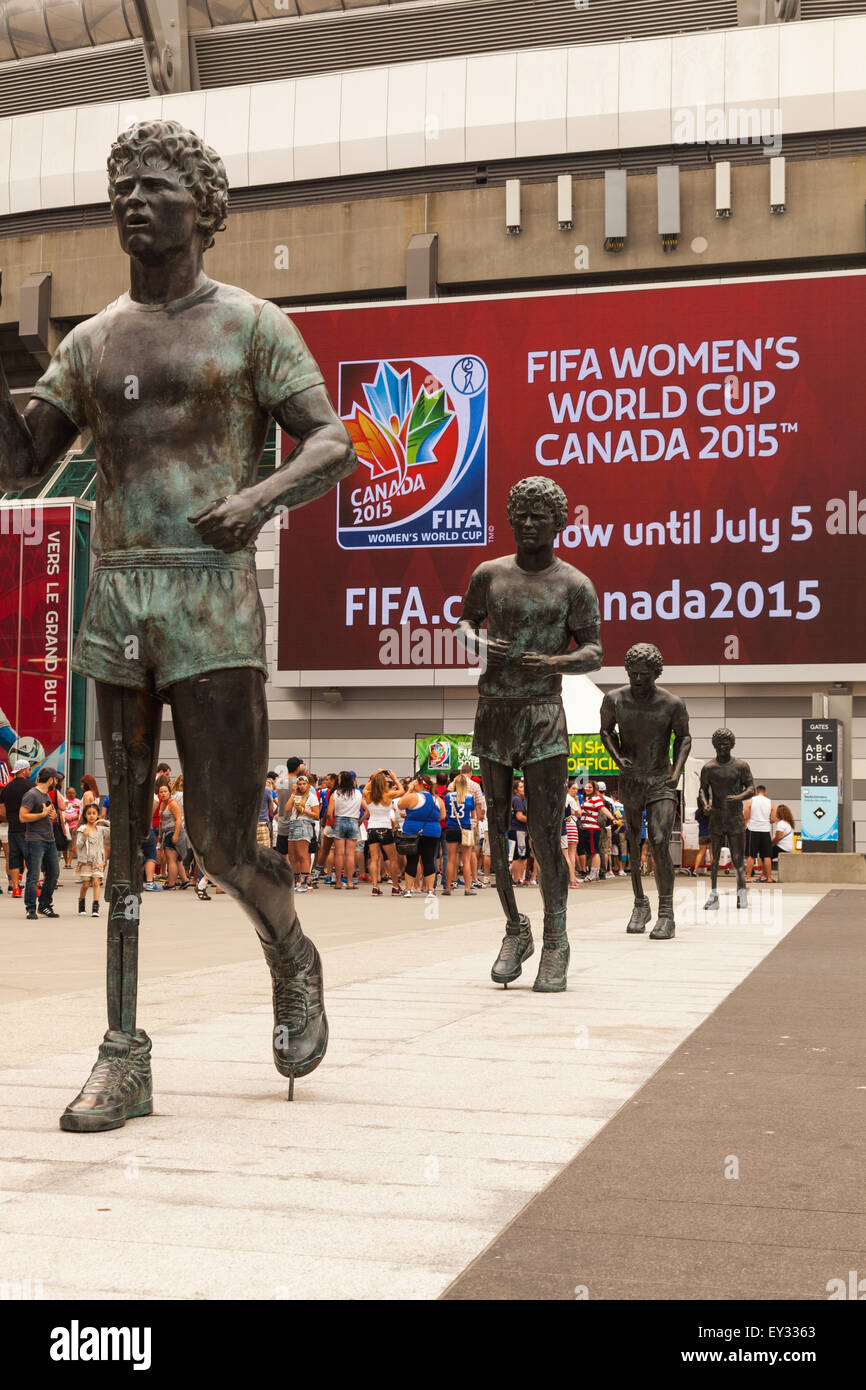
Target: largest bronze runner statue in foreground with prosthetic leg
{"x": 177, "y": 380}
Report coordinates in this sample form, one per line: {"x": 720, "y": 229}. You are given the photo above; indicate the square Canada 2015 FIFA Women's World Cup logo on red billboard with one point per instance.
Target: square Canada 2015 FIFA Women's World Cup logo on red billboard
{"x": 419, "y": 427}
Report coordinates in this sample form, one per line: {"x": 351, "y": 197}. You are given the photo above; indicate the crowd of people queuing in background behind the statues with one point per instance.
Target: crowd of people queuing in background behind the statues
{"x": 409, "y": 836}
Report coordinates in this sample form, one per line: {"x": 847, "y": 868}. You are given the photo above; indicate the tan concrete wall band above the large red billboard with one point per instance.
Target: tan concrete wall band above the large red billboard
{"x": 358, "y": 248}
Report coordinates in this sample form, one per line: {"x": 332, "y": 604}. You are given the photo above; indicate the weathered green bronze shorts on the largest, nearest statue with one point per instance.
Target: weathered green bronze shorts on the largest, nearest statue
{"x": 154, "y": 618}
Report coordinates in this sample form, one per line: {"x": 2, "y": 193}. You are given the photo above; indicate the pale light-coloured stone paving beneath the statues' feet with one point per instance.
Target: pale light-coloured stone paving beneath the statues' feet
{"x": 446, "y": 1106}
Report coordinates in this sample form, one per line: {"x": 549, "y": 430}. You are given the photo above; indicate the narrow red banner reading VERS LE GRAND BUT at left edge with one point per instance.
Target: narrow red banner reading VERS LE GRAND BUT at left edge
{"x": 35, "y": 568}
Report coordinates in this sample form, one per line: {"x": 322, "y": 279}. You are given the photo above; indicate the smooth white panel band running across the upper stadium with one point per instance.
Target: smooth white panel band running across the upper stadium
{"x": 494, "y": 106}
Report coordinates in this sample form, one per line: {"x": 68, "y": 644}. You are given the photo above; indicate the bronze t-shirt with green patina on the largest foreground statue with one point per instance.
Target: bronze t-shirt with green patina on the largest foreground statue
{"x": 177, "y": 398}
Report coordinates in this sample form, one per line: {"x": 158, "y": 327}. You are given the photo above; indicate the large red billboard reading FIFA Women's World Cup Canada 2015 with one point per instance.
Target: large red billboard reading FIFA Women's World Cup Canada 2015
{"x": 710, "y": 440}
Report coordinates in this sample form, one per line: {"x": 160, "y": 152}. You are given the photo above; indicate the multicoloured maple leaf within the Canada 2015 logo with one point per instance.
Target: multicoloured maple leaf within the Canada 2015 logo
{"x": 397, "y": 433}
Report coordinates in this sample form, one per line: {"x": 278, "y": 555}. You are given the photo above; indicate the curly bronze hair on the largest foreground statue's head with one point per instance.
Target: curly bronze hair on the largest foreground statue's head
{"x": 170, "y": 145}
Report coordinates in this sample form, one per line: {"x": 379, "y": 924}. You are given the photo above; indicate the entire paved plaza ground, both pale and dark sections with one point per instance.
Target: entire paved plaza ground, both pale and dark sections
{"x": 440, "y": 1146}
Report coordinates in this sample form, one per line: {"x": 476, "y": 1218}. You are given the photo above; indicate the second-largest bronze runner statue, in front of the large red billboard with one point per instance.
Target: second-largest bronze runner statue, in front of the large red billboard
{"x": 536, "y": 608}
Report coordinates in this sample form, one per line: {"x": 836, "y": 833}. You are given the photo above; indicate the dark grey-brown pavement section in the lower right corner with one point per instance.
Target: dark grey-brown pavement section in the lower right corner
{"x": 728, "y": 1175}
